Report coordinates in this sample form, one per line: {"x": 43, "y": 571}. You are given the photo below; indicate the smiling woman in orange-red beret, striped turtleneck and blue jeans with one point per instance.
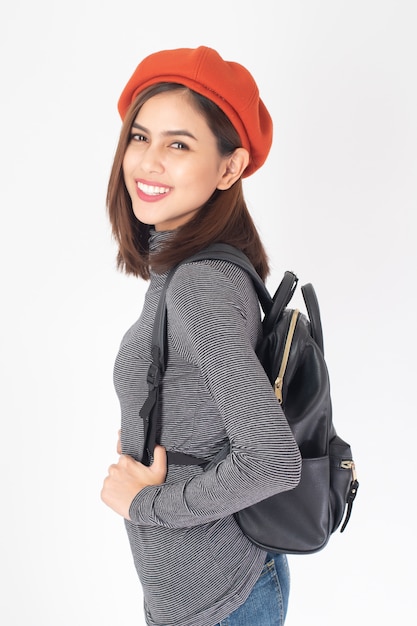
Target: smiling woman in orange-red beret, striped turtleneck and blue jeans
{"x": 193, "y": 126}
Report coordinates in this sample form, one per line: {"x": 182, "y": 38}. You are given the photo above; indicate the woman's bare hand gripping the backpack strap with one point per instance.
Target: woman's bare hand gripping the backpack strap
{"x": 128, "y": 477}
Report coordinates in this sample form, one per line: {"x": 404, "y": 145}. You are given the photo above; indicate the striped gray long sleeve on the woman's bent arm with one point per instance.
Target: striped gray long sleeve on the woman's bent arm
{"x": 212, "y": 315}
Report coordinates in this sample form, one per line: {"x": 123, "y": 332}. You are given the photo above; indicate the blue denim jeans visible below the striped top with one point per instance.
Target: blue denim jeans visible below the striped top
{"x": 268, "y": 601}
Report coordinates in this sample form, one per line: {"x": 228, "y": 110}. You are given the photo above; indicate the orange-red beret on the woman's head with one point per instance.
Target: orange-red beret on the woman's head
{"x": 228, "y": 84}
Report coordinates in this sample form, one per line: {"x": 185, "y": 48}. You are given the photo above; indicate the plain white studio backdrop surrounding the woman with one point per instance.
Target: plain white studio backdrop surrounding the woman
{"x": 336, "y": 202}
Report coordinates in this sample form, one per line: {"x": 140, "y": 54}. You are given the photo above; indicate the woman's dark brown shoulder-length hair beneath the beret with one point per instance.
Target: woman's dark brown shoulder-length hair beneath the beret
{"x": 223, "y": 218}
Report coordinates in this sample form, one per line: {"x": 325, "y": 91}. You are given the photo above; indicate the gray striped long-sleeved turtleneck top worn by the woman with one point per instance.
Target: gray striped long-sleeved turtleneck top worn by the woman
{"x": 194, "y": 563}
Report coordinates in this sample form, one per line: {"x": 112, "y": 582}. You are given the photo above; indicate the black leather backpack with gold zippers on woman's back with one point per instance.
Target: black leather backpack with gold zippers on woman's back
{"x": 299, "y": 521}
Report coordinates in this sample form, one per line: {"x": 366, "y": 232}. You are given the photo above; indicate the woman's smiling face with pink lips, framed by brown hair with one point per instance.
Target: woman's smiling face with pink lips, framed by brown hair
{"x": 172, "y": 164}
